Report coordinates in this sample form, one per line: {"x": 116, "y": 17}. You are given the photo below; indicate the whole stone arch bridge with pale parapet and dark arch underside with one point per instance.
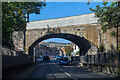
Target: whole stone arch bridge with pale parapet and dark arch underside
{"x": 83, "y": 30}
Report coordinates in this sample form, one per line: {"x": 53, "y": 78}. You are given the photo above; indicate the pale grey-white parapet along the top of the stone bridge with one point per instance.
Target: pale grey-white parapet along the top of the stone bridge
{"x": 66, "y": 21}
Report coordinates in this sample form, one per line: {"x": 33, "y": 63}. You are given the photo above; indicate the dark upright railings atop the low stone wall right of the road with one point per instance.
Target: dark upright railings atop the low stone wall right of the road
{"x": 101, "y": 58}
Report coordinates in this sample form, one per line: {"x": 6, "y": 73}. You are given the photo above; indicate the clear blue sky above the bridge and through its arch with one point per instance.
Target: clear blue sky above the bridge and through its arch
{"x": 63, "y": 9}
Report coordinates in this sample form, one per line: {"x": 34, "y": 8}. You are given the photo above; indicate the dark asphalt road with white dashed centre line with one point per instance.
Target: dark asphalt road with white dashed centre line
{"x": 52, "y": 71}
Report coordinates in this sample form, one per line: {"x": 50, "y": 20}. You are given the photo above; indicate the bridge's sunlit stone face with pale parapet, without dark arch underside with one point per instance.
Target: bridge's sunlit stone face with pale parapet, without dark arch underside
{"x": 86, "y": 26}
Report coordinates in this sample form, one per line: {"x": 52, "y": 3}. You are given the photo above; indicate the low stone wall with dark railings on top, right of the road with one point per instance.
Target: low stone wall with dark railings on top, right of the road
{"x": 102, "y": 62}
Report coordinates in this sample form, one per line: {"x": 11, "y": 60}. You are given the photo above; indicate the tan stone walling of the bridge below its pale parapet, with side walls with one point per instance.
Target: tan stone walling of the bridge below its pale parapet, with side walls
{"x": 91, "y": 32}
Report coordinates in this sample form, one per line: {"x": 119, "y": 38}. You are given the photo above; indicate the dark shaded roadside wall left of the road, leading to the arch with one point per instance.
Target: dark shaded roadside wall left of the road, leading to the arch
{"x": 12, "y": 59}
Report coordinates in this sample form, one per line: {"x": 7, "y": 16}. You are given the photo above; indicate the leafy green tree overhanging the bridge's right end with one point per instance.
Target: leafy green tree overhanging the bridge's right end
{"x": 109, "y": 17}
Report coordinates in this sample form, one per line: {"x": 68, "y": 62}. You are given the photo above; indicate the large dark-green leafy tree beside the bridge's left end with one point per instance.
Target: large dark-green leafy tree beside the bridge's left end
{"x": 14, "y": 15}
